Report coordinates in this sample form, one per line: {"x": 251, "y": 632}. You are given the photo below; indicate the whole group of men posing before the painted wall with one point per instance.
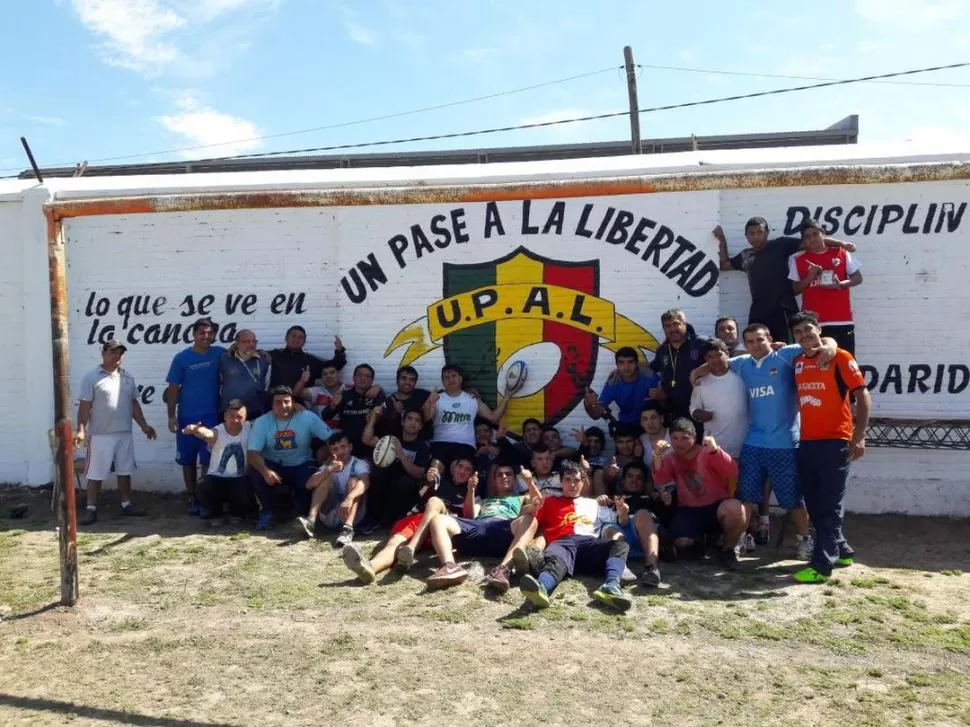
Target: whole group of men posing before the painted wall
{"x": 697, "y": 437}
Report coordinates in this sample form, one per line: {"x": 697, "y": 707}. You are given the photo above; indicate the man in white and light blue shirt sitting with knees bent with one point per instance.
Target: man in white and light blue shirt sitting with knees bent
{"x": 338, "y": 492}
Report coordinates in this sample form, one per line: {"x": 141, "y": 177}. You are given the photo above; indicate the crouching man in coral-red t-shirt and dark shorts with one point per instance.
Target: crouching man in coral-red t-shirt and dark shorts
{"x": 706, "y": 478}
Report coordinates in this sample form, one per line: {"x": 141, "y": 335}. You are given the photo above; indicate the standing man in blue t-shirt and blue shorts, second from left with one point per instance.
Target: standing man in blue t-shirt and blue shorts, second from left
{"x": 192, "y": 397}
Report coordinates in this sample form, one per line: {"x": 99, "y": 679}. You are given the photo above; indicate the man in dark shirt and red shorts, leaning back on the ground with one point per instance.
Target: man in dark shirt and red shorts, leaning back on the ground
{"x": 452, "y": 494}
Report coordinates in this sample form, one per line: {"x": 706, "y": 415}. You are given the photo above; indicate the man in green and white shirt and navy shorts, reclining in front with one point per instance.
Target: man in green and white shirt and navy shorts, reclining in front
{"x": 493, "y": 532}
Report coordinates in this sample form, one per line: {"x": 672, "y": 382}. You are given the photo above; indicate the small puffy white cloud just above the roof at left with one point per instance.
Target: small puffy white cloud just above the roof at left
{"x": 202, "y": 126}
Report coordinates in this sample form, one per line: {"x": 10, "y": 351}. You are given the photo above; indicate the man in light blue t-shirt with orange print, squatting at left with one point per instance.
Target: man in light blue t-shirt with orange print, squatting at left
{"x": 280, "y": 453}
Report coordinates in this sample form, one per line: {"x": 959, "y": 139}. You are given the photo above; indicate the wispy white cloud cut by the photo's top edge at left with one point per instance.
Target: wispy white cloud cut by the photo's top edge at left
{"x": 151, "y": 36}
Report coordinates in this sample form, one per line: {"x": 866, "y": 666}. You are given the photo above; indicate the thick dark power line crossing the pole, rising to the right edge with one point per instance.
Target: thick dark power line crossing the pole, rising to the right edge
{"x": 591, "y": 117}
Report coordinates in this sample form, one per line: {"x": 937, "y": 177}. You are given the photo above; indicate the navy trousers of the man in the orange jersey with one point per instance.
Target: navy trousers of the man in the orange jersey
{"x": 823, "y": 467}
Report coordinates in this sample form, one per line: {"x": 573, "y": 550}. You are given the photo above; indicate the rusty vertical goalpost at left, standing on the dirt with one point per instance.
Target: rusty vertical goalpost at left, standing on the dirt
{"x": 63, "y": 429}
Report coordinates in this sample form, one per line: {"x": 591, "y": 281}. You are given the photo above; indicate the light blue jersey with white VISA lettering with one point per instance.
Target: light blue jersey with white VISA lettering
{"x": 772, "y": 406}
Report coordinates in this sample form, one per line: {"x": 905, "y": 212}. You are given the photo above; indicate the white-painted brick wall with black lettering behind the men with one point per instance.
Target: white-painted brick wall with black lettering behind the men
{"x": 909, "y": 280}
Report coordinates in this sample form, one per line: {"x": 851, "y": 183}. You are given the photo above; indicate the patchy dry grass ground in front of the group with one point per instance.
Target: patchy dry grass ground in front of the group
{"x": 177, "y": 627}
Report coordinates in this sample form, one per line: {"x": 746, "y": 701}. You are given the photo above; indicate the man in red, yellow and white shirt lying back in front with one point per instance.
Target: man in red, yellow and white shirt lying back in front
{"x": 570, "y": 524}
